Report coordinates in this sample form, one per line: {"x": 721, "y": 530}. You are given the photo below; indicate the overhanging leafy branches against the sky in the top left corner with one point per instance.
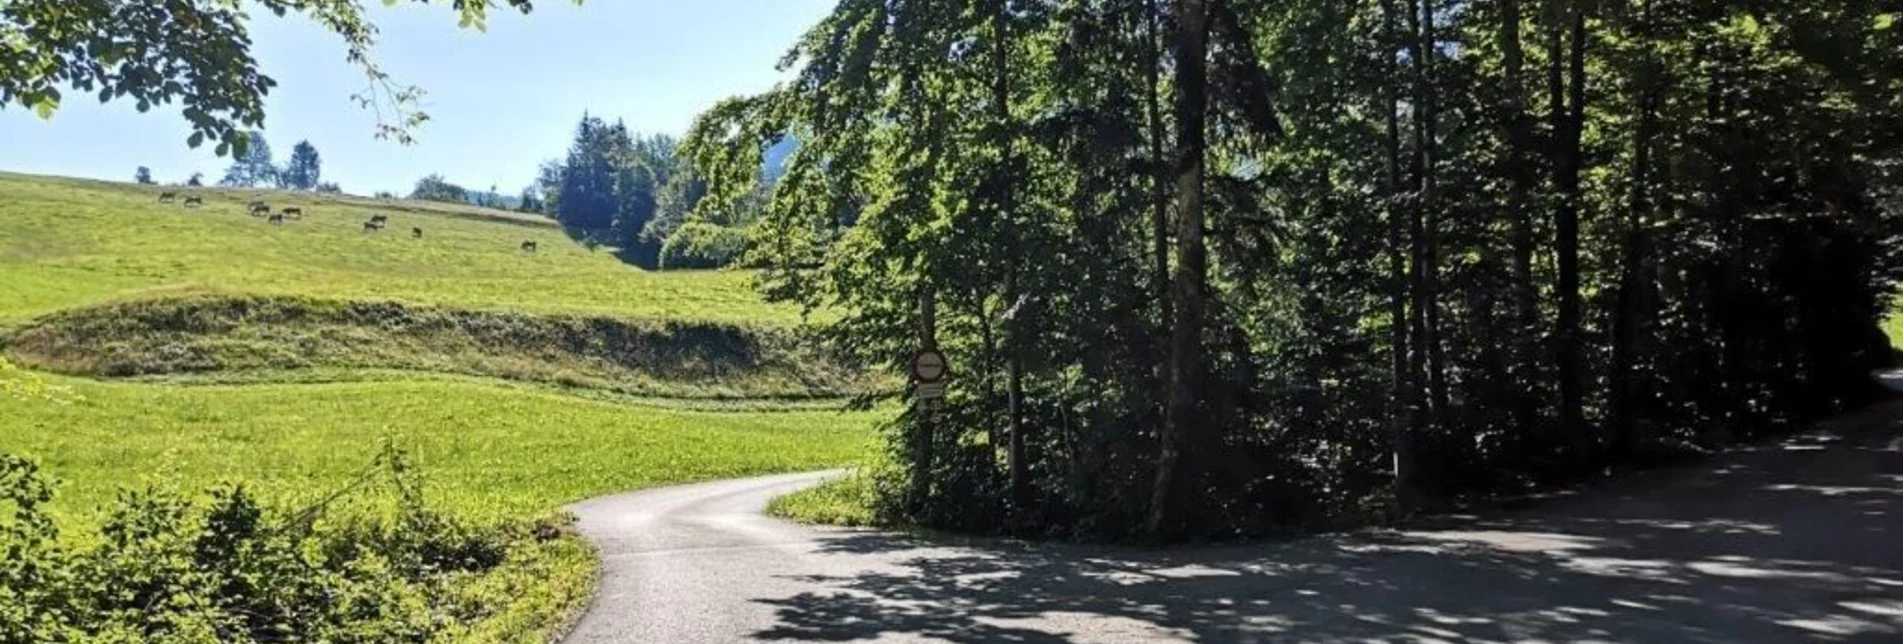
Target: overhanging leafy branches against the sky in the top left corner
{"x": 144, "y": 56}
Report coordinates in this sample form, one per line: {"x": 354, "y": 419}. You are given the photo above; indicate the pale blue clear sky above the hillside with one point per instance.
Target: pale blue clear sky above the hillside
{"x": 500, "y": 102}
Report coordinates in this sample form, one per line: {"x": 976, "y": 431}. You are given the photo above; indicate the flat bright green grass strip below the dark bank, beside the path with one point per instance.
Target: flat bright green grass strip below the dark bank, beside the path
{"x": 488, "y": 453}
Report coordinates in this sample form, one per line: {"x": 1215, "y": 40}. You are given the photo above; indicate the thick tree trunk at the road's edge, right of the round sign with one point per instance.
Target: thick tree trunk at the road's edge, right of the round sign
{"x": 1181, "y": 443}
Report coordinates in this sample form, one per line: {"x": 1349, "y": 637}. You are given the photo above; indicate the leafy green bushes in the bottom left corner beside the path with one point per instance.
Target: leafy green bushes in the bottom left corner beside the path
{"x": 167, "y": 569}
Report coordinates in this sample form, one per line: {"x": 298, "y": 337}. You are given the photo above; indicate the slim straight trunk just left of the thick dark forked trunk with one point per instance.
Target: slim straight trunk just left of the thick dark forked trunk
{"x": 1520, "y": 188}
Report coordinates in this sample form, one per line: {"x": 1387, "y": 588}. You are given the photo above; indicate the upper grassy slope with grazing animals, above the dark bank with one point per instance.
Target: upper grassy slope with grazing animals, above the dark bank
{"x": 69, "y": 243}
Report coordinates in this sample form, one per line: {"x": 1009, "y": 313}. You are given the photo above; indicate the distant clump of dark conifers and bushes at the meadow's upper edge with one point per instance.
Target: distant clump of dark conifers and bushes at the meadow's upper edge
{"x": 637, "y": 193}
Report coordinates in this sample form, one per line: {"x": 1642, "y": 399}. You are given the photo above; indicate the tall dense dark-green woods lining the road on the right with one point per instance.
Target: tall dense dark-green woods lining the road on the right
{"x": 1209, "y": 268}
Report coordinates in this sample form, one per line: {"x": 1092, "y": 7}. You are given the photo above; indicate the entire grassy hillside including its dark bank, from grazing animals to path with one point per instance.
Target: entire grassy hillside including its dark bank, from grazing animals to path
{"x": 201, "y": 346}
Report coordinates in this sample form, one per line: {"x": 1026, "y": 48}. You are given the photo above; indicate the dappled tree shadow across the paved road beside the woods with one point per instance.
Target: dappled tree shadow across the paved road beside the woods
{"x": 1799, "y": 540}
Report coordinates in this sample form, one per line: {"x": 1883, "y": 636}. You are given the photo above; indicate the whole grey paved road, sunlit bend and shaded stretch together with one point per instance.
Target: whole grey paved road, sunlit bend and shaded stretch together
{"x": 1788, "y": 542}
